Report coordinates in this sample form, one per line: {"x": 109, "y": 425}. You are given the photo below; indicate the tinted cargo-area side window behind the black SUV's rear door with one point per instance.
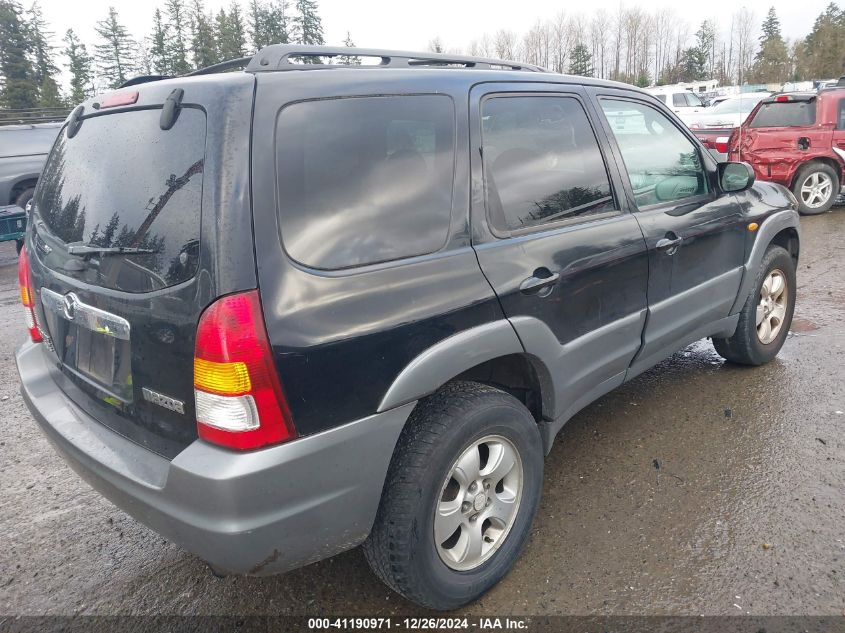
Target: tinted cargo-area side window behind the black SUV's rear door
{"x": 363, "y": 180}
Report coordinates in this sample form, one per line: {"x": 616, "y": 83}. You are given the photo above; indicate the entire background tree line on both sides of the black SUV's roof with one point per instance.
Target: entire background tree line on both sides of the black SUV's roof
{"x": 632, "y": 46}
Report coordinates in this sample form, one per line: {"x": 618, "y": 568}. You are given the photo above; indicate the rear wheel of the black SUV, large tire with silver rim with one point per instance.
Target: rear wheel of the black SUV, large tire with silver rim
{"x": 460, "y": 496}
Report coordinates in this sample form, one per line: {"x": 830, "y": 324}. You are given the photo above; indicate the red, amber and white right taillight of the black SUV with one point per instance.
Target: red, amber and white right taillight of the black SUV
{"x": 239, "y": 398}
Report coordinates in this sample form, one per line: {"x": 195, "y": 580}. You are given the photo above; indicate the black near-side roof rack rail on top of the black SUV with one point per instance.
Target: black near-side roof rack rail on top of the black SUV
{"x": 276, "y": 57}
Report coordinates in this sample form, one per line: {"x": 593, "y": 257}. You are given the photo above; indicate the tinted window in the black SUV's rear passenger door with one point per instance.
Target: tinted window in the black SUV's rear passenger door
{"x": 541, "y": 162}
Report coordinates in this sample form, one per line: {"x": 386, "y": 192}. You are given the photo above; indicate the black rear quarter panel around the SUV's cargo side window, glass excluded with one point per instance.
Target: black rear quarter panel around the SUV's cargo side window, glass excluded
{"x": 340, "y": 338}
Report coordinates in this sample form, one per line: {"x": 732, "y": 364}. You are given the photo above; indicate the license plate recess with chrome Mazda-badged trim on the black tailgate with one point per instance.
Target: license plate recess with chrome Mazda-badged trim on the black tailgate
{"x": 90, "y": 343}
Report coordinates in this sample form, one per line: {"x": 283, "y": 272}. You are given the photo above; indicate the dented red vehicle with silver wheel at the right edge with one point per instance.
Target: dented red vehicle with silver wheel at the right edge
{"x": 797, "y": 140}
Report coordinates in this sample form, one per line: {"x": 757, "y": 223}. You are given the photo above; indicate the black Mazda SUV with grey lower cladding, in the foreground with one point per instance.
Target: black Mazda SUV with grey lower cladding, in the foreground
{"x": 278, "y": 313}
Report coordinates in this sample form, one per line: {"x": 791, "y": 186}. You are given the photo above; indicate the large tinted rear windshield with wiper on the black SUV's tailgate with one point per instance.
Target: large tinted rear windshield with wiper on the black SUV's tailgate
{"x": 123, "y": 181}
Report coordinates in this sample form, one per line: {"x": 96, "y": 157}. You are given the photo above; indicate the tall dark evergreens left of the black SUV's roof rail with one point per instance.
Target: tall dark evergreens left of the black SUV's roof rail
{"x": 184, "y": 37}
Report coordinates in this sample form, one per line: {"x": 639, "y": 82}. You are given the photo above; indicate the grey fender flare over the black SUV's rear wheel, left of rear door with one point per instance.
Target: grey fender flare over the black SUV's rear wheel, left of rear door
{"x": 450, "y": 357}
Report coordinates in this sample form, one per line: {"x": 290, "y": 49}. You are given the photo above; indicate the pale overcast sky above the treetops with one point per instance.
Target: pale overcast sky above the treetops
{"x": 410, "y": 25}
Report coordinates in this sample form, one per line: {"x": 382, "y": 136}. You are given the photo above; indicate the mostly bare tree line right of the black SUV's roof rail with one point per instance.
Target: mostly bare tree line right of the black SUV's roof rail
{"x": 644, "y": 48}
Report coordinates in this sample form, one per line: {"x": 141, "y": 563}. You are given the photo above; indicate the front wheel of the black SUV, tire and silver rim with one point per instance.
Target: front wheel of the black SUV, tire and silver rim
{"x": 767, "y": 314}
